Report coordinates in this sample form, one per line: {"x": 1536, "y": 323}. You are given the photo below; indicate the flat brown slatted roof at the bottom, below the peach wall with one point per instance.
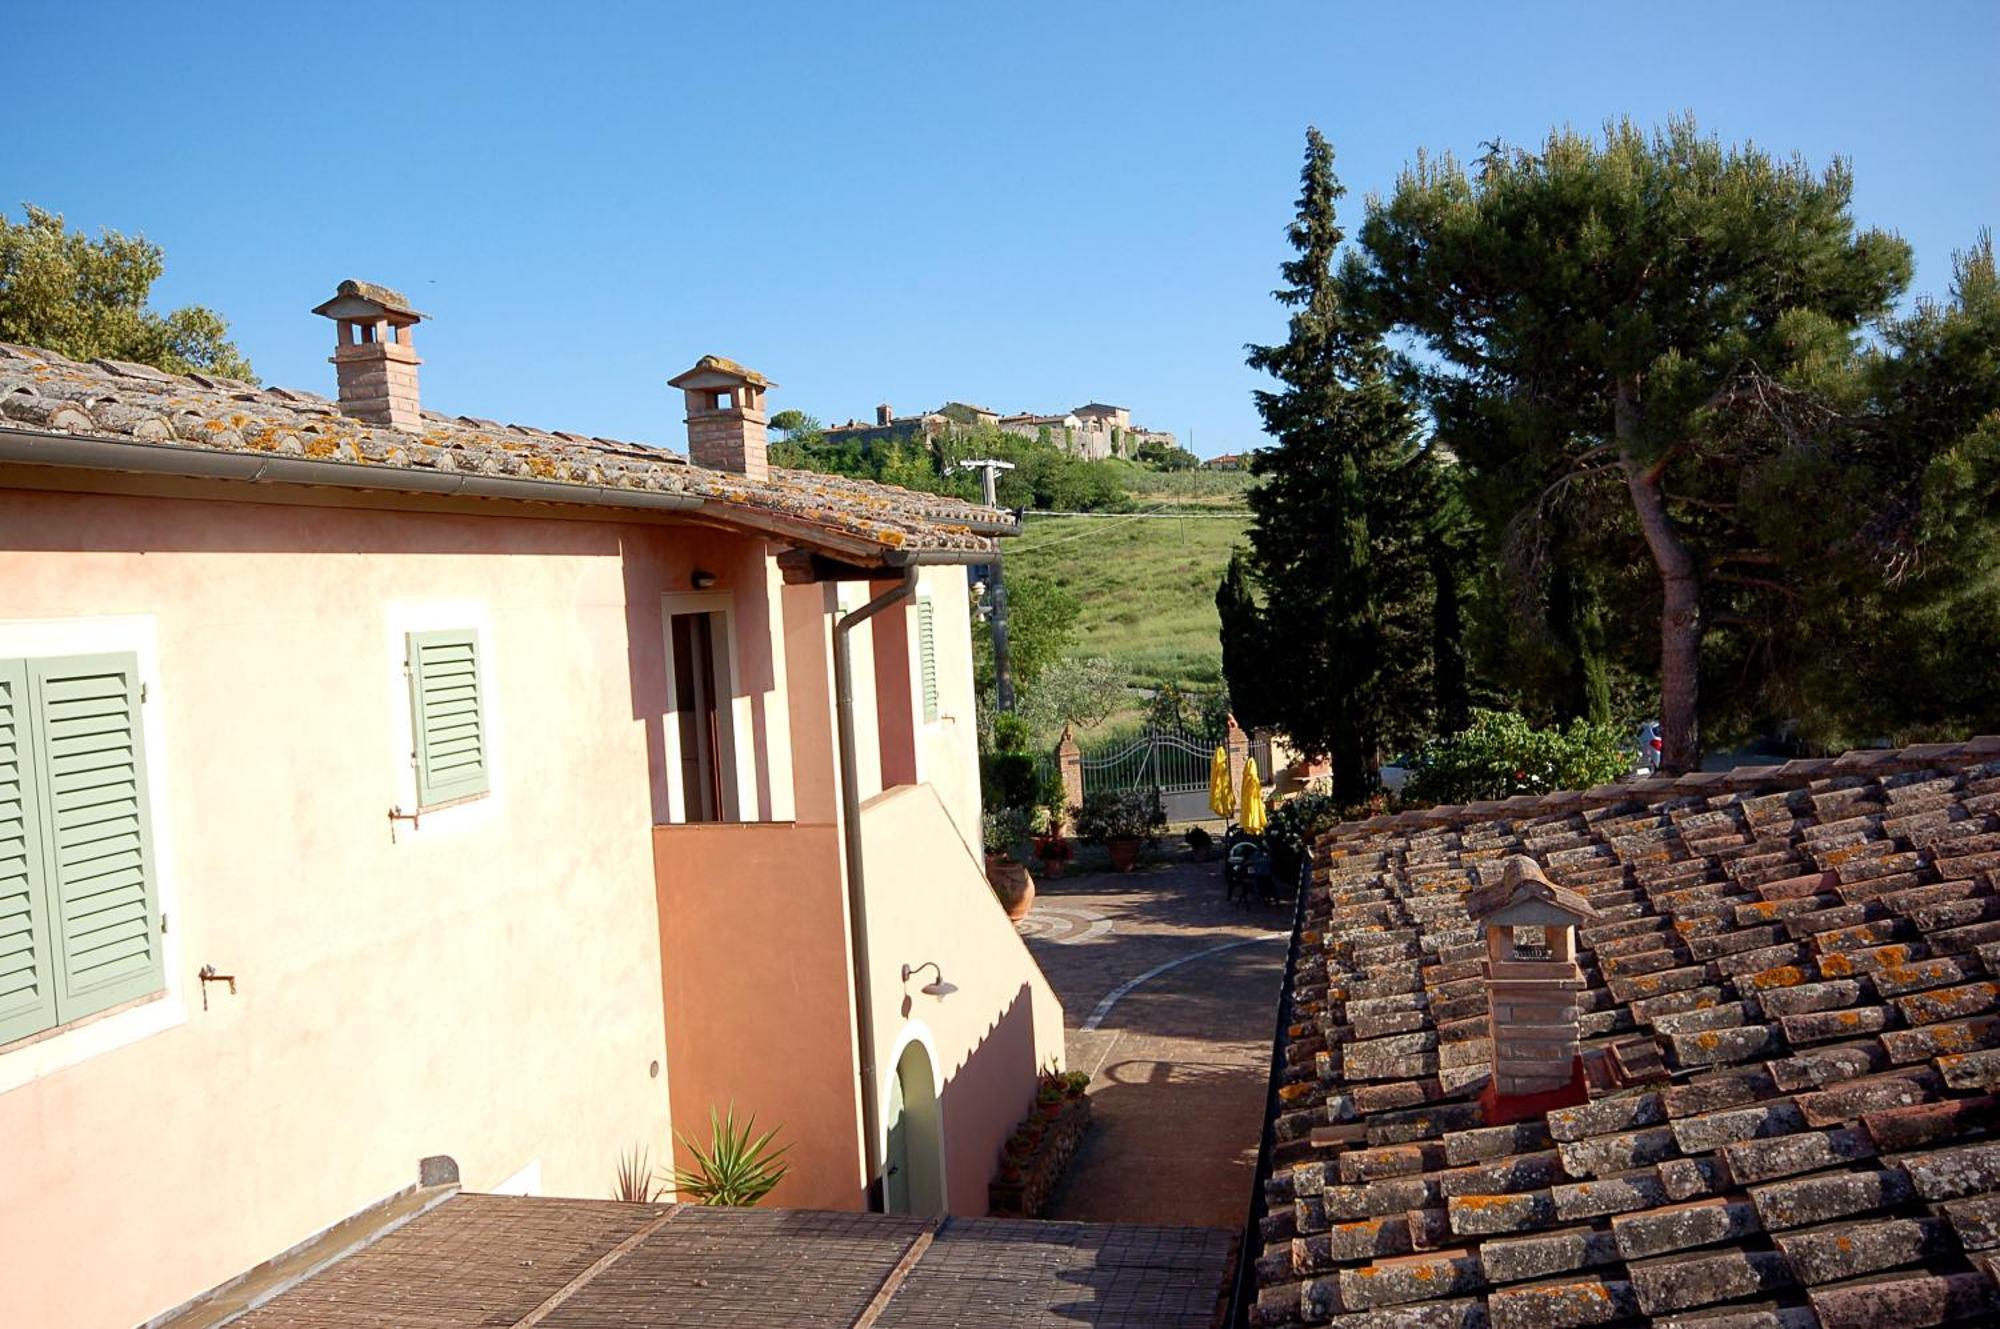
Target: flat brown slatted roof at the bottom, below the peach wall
{"x": 497, "y": 1260}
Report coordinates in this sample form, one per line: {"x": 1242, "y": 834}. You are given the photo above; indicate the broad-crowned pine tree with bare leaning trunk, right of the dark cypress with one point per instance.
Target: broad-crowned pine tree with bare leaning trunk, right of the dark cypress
{"x": 1611, "y": 327}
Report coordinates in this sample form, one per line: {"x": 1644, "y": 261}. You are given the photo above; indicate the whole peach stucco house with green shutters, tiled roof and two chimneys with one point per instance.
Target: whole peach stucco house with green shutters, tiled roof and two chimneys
{"x": 379, "y": 788}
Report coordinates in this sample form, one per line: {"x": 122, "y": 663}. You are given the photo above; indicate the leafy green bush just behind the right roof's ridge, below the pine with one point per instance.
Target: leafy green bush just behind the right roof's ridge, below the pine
{"x": 1501, "y": 756}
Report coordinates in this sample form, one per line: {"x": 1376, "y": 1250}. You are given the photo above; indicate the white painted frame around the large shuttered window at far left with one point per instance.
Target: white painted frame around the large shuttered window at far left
{"x": 143, "y": 1018}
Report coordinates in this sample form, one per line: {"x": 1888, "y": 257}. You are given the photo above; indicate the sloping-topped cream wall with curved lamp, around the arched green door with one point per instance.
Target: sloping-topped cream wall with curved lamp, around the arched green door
{"x": 929, "y": 902}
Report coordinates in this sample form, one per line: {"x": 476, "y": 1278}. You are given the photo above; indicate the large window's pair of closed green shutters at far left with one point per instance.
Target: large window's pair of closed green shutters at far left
{"x": 79, "y": 888}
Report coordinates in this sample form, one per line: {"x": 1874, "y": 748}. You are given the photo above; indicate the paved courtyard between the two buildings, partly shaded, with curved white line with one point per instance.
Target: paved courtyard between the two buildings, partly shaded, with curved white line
{"x": 1171, "y": 1000}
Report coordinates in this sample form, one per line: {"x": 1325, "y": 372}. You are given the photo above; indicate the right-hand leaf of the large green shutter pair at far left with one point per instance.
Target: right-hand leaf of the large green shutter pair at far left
{"x": 97, "y": 838}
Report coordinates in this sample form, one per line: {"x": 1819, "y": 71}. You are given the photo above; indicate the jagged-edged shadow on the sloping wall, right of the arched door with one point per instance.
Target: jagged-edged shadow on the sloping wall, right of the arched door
{"x": 985, "y": 1098}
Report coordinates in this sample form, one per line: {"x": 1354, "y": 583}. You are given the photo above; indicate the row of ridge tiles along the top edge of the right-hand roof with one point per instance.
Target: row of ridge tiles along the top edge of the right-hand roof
{"x": 1795, "y": 774}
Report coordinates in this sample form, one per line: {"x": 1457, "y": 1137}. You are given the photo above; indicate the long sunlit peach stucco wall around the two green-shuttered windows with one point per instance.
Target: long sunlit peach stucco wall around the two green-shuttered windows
{"x": 487, "y": 986}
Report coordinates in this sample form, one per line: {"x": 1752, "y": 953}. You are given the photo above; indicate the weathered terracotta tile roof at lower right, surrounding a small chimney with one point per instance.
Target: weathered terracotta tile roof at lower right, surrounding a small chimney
{"x": 1809, "y": 952}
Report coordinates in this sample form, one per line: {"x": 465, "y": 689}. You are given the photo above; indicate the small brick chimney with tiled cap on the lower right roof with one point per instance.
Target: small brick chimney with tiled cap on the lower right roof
{"x": 1531, "y": 980}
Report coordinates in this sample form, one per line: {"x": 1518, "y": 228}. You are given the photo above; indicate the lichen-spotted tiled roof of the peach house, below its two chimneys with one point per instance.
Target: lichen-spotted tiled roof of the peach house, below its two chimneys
{"x": 139, "y": 405}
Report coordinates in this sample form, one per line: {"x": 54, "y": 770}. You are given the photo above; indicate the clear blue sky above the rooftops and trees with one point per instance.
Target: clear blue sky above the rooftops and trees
{"x": 1019, "y": 205}
